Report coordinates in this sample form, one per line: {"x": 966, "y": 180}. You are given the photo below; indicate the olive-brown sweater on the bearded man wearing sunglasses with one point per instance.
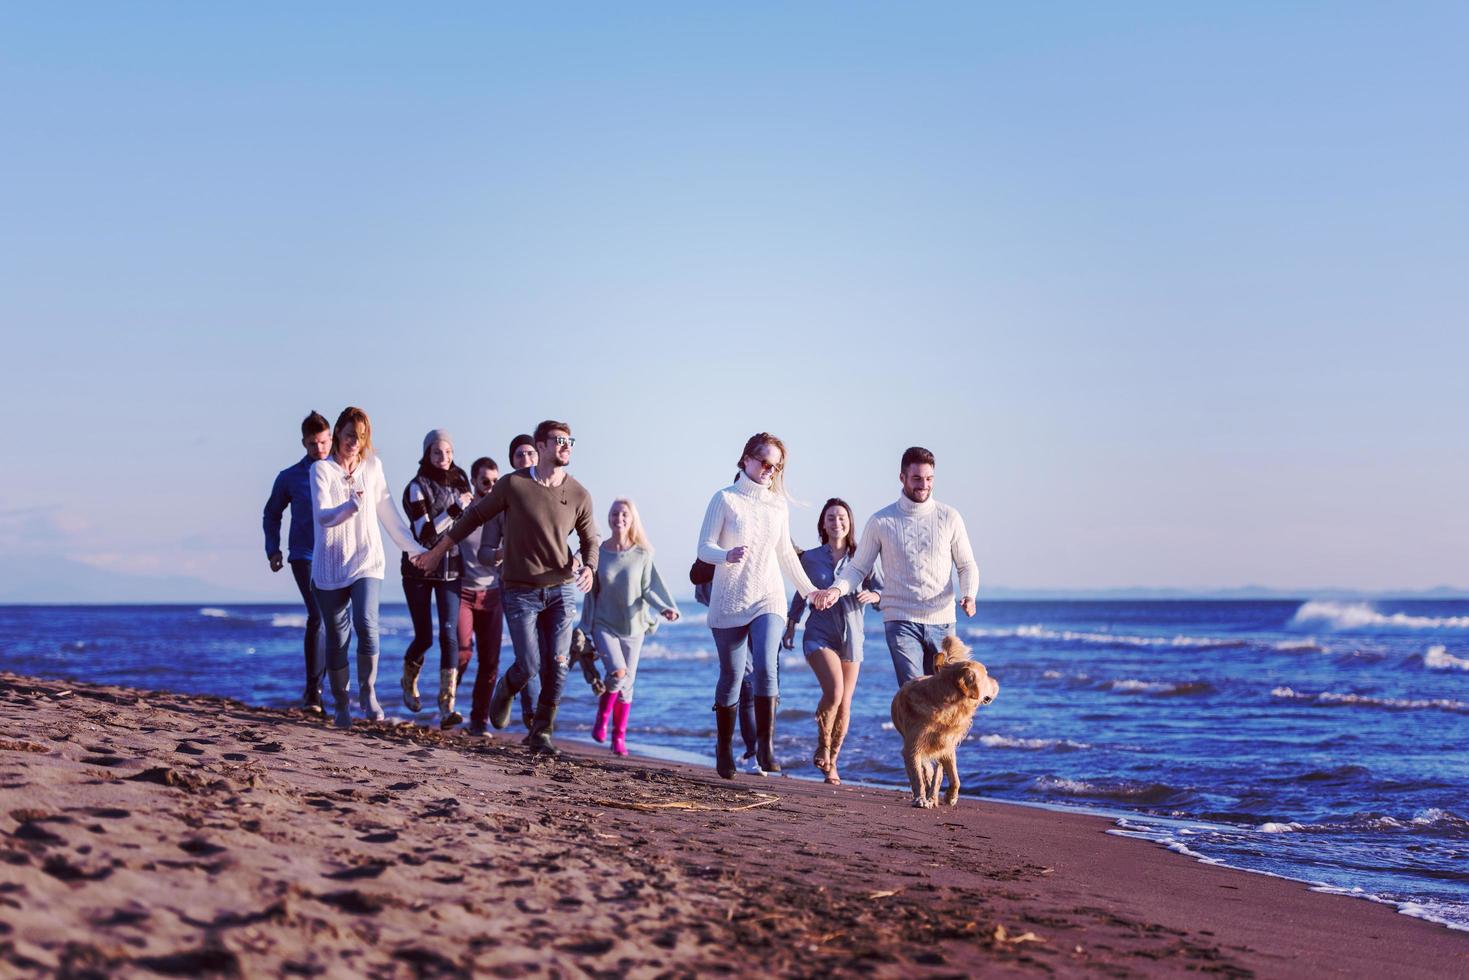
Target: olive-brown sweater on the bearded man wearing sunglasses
{"x": 538, "y": 521}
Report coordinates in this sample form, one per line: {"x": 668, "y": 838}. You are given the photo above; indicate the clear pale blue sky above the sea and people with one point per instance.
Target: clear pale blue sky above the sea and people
{"x": 1174, "y": 292}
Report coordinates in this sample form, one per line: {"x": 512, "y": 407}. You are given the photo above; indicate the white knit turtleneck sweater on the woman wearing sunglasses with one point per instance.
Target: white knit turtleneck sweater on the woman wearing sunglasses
{"x": 753, "y": 516}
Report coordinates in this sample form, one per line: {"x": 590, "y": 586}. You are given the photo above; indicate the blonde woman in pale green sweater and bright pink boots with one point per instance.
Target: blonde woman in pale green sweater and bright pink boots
{"x": 624, "y": 608}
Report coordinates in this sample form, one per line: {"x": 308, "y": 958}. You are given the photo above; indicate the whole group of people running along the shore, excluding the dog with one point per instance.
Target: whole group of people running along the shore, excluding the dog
{"x": 484, "y": 550}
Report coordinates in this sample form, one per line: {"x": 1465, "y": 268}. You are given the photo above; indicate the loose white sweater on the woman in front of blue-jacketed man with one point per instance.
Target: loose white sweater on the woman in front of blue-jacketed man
{"x": 347, "y": 543}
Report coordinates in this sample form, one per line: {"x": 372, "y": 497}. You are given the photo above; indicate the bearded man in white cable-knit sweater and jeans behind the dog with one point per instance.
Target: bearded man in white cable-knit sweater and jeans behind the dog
{"x": 922, "y": 543}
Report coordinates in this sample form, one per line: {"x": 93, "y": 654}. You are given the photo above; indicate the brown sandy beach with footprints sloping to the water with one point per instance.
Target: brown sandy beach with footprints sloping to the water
{"x": 161, "y": 834}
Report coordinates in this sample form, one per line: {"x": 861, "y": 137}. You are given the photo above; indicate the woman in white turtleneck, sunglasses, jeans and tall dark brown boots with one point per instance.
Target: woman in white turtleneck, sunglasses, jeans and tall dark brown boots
{"x": 747, "y": 538}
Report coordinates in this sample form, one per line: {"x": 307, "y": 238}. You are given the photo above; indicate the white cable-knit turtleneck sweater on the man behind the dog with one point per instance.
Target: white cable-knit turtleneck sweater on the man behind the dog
{"x": 920, "y": 544}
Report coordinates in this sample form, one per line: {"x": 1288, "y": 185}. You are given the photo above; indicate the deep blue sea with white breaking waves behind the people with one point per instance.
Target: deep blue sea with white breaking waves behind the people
{"x": 1323, "y": 741}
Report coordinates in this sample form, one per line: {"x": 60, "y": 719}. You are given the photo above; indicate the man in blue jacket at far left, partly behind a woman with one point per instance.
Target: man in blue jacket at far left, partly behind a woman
{"x": 293, "y": 489}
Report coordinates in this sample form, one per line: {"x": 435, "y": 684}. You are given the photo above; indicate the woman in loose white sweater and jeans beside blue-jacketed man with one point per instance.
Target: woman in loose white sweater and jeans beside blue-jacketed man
{"x": 349, "y": 500}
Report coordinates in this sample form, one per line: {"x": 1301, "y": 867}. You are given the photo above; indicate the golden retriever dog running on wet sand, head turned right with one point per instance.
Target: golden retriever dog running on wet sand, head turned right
{"x": 935, "y": 713}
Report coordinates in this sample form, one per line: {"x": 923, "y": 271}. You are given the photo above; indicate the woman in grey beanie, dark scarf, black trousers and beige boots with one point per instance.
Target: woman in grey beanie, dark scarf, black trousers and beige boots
{"x": 434, "y": 500}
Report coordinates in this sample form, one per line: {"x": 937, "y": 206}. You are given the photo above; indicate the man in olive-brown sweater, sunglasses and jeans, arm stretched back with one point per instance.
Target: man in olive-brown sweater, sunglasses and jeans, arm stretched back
{"x": 541, "y": 583}
